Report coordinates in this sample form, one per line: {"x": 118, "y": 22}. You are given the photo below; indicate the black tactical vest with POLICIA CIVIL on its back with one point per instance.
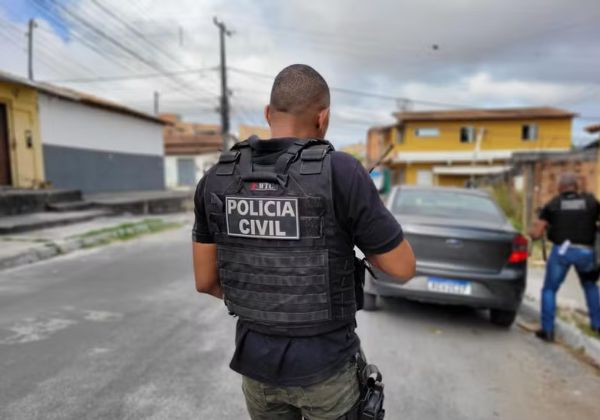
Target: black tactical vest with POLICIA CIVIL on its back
{"x": 274, "y": 228}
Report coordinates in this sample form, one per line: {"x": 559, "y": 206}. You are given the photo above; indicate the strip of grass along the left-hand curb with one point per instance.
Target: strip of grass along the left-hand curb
{"x": 124, "y": 232}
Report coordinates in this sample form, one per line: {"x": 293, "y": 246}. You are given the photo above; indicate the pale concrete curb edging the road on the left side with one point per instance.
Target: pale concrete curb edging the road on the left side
{"x": 50, "y": 249}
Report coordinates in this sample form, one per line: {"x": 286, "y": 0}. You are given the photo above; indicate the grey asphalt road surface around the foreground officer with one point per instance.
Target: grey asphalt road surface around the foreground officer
{"x": 120, "y": 333}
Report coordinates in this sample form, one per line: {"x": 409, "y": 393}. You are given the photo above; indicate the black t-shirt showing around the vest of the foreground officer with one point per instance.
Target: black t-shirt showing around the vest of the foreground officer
{"x": 364, "y": 220}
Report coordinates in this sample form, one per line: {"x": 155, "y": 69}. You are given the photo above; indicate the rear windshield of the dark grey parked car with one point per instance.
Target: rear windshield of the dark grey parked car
{"x": 447, "y": 204}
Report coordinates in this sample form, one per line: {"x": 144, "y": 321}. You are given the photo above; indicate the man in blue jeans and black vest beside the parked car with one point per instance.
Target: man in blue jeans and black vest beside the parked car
{"x": 570, "y": 219}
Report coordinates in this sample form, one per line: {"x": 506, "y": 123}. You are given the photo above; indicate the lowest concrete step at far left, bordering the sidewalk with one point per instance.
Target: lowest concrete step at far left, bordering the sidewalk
{"x": 36, "y": 221}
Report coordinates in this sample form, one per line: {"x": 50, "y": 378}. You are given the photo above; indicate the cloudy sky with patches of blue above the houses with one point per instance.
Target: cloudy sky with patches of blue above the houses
{"x": 378, "y": 56}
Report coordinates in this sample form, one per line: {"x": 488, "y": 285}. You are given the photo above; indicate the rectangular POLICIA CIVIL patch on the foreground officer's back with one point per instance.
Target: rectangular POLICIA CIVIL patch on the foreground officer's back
{"x": 266, "y": 218}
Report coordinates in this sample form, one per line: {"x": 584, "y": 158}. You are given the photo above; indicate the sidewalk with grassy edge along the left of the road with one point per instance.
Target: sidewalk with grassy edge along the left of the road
{"x": 28, "y": 247}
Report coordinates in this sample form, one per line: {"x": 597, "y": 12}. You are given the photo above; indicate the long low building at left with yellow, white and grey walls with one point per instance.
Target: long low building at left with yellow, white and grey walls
{"x": 51, "y": 136}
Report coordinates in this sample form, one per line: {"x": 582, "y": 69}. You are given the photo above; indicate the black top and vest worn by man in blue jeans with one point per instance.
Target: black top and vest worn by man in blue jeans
{"x": 572, "y": 216}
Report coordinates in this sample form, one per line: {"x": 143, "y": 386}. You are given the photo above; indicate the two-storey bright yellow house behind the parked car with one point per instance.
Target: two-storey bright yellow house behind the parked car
{"x": 452, "y": 148}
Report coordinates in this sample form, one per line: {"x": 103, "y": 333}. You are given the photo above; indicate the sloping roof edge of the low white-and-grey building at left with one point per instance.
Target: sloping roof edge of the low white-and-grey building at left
{"x": 76, "y": 96}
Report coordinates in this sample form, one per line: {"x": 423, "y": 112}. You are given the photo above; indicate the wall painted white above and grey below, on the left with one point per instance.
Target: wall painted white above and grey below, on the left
{"x": 95, "y": 150}
